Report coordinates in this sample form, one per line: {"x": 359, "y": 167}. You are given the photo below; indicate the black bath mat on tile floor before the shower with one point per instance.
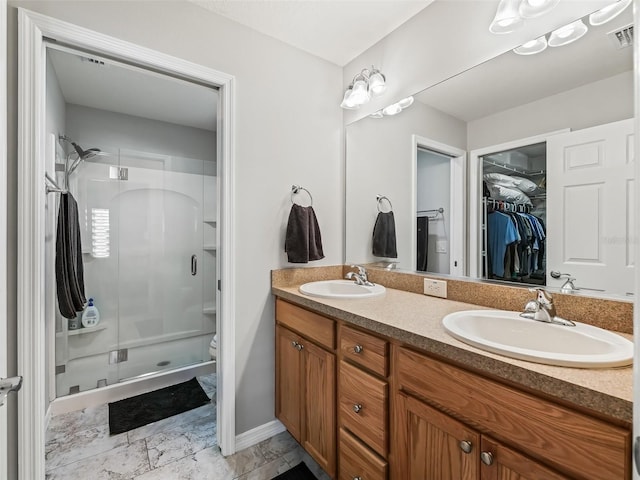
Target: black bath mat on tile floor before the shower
{"x": 150, "y": 407}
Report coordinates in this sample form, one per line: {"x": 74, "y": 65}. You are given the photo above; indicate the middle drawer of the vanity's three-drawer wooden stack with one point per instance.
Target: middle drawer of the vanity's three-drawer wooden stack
{"x": 363, "y": 406}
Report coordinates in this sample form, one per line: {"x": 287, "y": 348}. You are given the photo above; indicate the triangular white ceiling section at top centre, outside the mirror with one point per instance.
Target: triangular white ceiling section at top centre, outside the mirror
{"x": 335, "y": 30}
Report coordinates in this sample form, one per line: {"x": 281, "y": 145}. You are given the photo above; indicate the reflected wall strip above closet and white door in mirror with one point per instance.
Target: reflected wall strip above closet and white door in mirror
{"x": 593, "y": 104}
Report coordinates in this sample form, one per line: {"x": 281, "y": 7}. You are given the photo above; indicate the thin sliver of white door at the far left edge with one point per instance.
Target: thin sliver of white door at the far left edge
{"x": 4, "y": 355}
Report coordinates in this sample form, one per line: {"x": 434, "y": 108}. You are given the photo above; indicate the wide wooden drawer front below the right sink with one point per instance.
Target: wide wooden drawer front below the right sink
{"x": 567, "y": 440}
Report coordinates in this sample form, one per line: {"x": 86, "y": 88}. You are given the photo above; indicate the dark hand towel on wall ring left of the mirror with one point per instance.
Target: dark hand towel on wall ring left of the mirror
{"x": 303, "y": 241}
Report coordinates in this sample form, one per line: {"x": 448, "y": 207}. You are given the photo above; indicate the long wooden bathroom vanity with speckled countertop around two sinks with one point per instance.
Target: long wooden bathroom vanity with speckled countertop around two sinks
{"x": 375, "y": 389}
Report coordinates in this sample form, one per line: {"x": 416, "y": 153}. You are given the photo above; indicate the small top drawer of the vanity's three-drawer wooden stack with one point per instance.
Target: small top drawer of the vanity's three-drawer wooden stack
{"x": 364, "y": 349}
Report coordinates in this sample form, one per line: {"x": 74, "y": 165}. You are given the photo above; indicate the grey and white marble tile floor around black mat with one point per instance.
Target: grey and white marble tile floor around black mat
{"x": 182, "y": 447}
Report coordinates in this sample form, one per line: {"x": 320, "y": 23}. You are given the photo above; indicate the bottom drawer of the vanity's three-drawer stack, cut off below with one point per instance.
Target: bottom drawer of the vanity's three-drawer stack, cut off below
{"x": 357, "y": 461}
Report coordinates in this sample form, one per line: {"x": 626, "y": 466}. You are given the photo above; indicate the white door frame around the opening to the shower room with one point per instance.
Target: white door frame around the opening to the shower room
{"x": 33, "y": 28}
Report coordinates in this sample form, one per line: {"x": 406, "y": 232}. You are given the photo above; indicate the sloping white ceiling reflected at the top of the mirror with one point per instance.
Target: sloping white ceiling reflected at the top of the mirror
{"x": 510, "y": 80}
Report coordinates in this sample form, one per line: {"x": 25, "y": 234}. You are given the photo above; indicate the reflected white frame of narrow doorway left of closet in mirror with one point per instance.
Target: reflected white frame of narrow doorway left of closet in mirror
{"x": 457, "y": 200}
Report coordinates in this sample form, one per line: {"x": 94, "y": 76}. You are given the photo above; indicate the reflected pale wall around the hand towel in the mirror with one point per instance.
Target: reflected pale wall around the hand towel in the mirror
{"x": 379, "y": 151}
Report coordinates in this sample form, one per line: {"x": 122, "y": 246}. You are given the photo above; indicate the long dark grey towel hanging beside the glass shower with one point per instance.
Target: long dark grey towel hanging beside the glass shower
{"x": 69, "y": 269}
